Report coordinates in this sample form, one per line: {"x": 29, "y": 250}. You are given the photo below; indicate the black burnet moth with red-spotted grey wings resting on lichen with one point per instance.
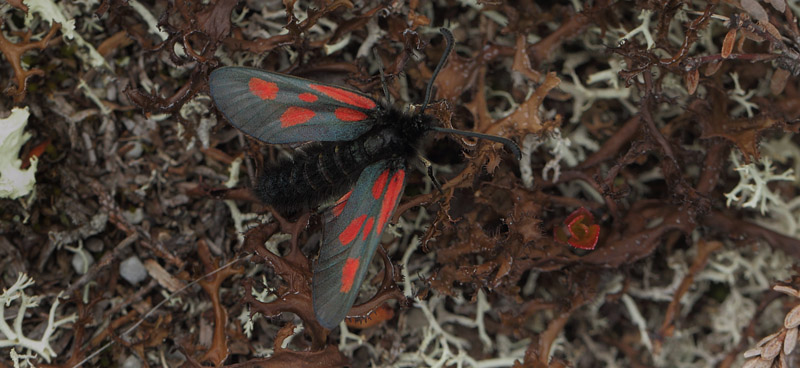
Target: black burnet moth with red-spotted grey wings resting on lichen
{"x": 360, "y": 153}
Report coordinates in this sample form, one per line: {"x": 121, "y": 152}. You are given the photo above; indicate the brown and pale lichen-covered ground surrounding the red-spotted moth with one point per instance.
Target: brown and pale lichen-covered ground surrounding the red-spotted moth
{"x": 661, "y": 134}
